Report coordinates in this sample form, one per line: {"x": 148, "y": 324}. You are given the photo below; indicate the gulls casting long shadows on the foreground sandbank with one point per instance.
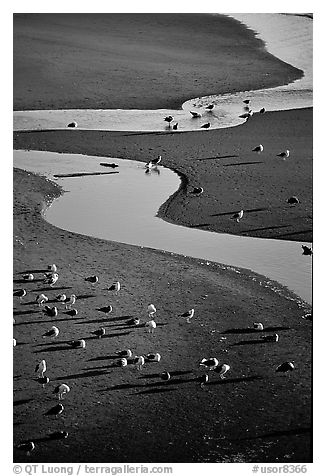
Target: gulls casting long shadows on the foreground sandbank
{"x": 125, "y": 357}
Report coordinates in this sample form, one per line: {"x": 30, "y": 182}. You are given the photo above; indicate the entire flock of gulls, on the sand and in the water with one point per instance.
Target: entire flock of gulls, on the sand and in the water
{"x": 126, "y": 357}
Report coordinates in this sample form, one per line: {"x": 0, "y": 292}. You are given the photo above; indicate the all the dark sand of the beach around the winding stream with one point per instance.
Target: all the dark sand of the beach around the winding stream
{"x": 124, "y": 415}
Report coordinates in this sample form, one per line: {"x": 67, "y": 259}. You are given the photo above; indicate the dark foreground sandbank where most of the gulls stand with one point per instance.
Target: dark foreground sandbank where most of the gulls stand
{"x": 216, "y": 291}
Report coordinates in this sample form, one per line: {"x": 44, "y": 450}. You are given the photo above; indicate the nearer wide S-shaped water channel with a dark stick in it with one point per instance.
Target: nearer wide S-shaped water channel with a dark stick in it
{"x": 122, "y": 207}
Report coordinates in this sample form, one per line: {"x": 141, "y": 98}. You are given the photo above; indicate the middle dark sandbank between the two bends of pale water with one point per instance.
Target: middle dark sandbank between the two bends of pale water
{"x": 276, "y": 180}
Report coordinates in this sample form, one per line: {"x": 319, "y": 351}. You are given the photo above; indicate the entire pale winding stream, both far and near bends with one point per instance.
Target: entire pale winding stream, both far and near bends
{"x": 137, "y": 196}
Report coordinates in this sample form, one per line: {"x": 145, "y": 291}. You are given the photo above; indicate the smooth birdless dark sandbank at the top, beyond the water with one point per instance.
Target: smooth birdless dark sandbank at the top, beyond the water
{"x": 210, "y": 51}
